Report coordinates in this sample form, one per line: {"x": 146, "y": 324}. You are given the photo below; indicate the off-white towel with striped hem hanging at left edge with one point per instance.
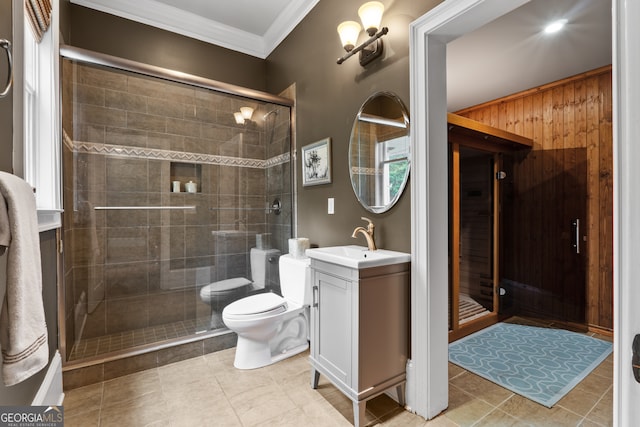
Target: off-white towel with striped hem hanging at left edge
{"x": 23, "y": 331}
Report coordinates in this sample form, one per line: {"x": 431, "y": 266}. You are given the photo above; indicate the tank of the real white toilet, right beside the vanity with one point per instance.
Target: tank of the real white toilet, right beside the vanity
{"x": 295, "y": 279}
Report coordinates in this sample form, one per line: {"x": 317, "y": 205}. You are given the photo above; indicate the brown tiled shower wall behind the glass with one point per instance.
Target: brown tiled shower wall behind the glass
{"x": 127, "y": 137}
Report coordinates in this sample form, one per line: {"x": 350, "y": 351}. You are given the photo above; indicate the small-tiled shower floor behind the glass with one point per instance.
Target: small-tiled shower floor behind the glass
{"x": 99, "y": 346}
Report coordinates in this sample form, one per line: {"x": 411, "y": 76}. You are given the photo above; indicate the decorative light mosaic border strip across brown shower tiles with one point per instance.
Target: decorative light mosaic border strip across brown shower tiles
{"x": 177, "y": 156}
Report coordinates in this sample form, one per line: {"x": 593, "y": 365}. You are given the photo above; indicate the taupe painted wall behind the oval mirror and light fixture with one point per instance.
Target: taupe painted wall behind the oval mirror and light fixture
{"x": 328, "y": 98}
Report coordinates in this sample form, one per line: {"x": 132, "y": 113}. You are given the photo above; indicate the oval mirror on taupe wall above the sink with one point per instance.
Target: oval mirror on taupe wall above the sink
{"x": 379, "y": 153}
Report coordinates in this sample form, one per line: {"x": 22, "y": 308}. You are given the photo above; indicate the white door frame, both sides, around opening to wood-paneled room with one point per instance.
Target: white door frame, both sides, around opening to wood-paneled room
{"x": 427, "y": 374}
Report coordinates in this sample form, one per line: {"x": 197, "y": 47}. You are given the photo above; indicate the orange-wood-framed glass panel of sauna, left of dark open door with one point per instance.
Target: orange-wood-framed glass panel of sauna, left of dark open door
{"x": 473, "y": 237}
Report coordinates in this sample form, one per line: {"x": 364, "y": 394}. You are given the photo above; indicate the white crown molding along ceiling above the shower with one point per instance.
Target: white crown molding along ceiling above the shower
{"x": 172, "y": 19}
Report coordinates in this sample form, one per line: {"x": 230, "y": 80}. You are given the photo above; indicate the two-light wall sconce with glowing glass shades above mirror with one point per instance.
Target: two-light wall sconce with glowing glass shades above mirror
{"x": 371, "y": 15}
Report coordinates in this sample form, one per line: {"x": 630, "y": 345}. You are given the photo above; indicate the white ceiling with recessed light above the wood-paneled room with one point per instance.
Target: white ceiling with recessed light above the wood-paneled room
{"x": 512, "y": 54}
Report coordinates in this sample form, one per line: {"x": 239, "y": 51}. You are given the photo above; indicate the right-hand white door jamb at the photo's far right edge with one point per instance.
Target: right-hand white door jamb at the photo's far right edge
{"x": 626, "y": 207}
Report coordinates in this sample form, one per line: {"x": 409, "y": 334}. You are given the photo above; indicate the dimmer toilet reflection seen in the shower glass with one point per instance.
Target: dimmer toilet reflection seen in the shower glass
{"x": 219, "y": 294}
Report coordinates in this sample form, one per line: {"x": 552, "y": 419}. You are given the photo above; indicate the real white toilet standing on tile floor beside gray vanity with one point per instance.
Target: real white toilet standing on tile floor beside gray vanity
{"x": 269, "y": 327}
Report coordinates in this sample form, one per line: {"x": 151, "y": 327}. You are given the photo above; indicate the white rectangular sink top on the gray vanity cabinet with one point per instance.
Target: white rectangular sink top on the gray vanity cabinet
{"x": 357, "y": 256}
